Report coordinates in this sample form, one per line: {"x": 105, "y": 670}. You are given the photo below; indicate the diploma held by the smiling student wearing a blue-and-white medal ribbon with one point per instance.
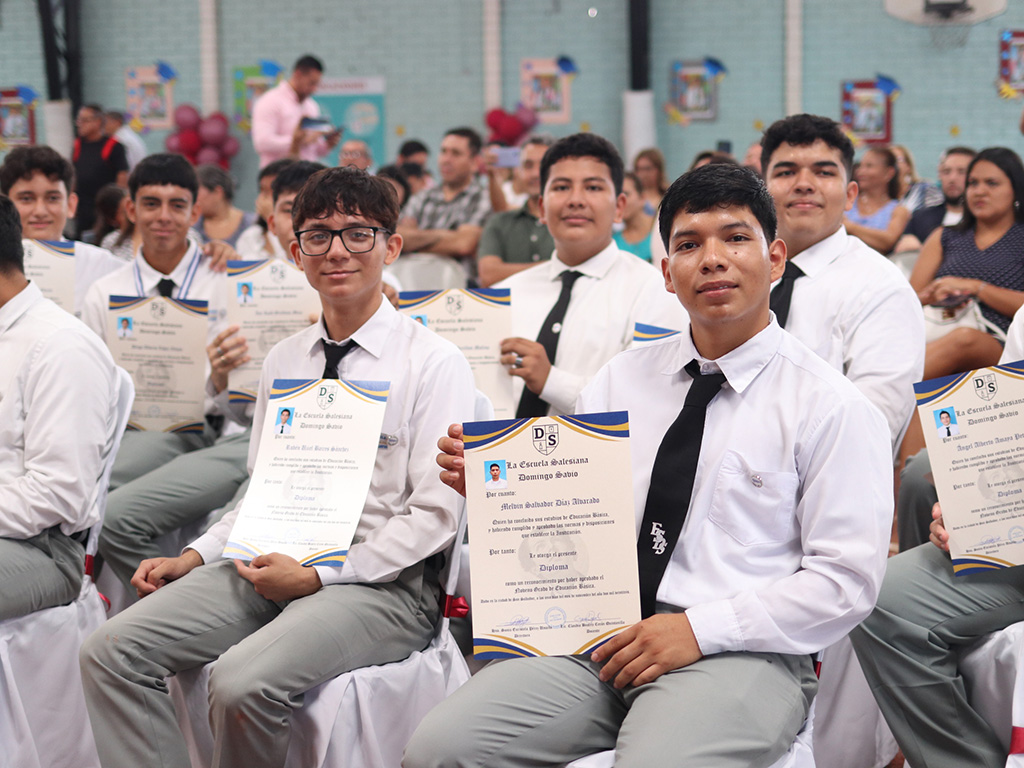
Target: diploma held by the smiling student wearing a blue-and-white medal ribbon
{"x": 162, "y": 344}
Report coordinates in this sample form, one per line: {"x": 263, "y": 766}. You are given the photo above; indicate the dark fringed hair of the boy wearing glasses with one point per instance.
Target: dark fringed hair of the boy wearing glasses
{"x": 348, "y": 191}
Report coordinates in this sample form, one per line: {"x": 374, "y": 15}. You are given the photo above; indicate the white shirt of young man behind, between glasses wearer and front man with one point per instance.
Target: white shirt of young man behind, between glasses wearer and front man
{"x": 617, "y": 291}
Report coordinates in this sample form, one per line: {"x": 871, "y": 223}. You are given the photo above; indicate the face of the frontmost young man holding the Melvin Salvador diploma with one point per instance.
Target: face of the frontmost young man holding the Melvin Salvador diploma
{"x": 721, "y": 268}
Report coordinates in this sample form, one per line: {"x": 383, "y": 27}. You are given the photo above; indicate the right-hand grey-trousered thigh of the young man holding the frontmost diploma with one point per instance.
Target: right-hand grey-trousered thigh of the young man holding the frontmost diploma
{"x": 736, "y": 710}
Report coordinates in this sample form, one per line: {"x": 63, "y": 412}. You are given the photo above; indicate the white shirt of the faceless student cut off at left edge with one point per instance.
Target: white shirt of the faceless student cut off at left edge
{"x": 58, "y": 402}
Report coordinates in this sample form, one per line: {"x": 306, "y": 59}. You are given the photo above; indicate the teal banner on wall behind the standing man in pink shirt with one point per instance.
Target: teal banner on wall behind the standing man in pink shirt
{"x": 357, "y": 106}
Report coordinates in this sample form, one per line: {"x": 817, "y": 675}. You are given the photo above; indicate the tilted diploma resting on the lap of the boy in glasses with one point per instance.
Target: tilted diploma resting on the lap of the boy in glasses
{"x": 317, "y": 454}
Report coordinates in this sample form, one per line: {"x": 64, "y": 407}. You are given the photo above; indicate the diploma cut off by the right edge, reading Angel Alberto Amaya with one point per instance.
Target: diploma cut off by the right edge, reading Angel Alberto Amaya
{"x": 975, "y": 435}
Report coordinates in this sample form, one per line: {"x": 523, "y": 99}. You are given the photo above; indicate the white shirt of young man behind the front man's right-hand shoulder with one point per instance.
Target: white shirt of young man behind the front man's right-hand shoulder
{"x": 856, "y": 309}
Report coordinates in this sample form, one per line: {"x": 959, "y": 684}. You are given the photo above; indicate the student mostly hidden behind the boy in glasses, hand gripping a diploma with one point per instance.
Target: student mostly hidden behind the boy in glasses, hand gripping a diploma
{"x": 191, "y": 486}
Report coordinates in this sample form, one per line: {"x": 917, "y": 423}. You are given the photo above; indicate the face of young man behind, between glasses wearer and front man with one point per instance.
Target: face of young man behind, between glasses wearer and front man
{"x": 580, "y": 205}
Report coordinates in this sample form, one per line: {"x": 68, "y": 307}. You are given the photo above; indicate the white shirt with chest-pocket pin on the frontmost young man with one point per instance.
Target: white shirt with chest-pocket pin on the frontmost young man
{"x": 785, "y": 543}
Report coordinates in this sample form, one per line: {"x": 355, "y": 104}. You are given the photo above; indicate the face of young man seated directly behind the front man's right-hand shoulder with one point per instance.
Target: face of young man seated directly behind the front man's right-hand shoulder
{"x": 812, "y": 192}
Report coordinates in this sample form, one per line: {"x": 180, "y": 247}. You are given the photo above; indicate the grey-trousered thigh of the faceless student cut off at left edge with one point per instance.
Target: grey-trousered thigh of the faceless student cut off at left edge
{"x": 39, "y": 573}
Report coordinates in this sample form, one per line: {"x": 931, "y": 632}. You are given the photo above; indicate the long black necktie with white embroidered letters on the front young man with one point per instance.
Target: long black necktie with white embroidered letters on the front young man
{"x": 672, "y": 485}
